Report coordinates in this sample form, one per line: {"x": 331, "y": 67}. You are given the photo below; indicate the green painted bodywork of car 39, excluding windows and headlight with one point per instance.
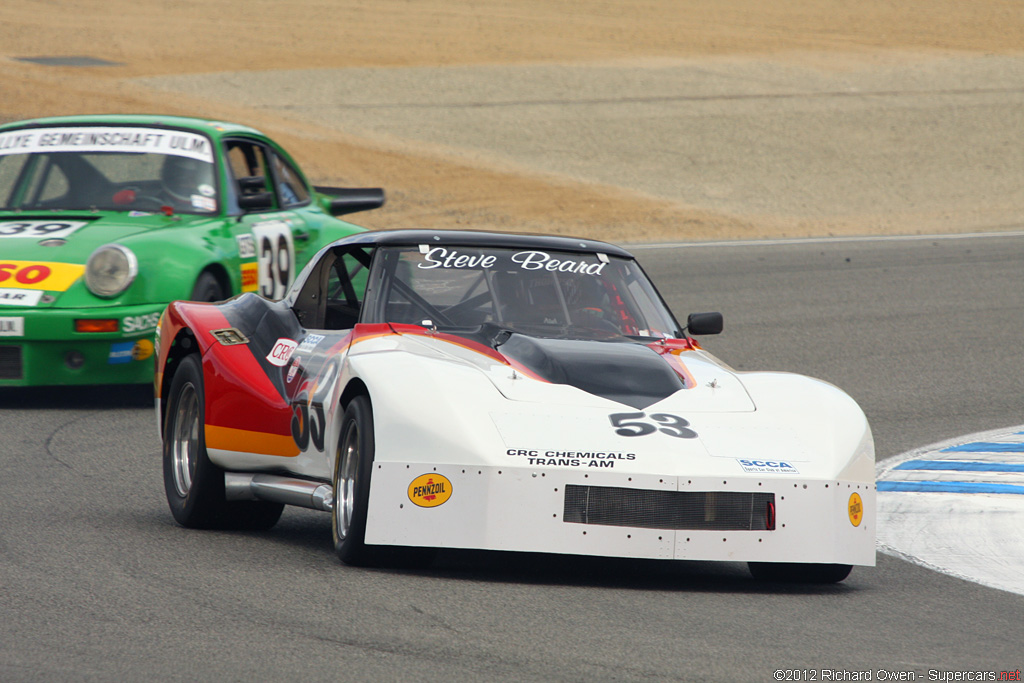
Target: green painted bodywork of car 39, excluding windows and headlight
{"x": 257, "y": 249}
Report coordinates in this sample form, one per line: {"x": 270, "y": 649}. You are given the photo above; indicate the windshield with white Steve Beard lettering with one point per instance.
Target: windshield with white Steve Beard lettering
{"x": 543, "y": 292}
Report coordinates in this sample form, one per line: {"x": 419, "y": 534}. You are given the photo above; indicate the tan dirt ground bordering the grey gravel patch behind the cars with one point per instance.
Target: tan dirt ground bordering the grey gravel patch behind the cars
{"x": 429, "y": 188}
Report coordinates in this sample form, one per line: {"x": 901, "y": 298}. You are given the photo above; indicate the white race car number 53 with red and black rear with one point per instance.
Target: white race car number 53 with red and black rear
{"x": 457, "y": 390}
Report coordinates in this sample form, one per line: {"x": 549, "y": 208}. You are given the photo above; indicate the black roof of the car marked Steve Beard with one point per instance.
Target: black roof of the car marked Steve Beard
{"x": 483, "y": 239}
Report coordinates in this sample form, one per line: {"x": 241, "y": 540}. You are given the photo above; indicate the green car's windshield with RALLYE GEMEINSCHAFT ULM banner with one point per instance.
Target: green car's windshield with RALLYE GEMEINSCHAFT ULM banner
{"x": 108, "y": 169}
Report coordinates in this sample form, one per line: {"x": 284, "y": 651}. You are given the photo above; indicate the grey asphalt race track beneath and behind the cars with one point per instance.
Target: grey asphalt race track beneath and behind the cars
{"x": 98, "y": 583}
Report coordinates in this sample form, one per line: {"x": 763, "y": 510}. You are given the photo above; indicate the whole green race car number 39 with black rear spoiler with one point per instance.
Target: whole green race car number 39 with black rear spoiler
{"x": 105, "y": 220}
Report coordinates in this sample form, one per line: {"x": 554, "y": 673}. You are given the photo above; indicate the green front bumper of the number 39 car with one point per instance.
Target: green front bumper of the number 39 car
{"x": 40, "y": 348}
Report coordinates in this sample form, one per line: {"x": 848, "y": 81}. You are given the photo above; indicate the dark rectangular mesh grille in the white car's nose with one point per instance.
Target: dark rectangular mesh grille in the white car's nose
{"x": 679, "y": 510}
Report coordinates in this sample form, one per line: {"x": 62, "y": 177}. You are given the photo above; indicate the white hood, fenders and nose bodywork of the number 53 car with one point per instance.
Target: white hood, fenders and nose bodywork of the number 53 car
{"x": 507, "y": 460}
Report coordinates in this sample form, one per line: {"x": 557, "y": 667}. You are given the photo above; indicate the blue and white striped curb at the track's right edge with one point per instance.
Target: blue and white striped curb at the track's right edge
{"x": 958, "y": 507}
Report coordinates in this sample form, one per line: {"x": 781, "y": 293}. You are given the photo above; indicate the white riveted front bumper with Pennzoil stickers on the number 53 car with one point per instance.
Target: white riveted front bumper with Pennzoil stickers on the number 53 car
{"x": 521, "y": 509}
